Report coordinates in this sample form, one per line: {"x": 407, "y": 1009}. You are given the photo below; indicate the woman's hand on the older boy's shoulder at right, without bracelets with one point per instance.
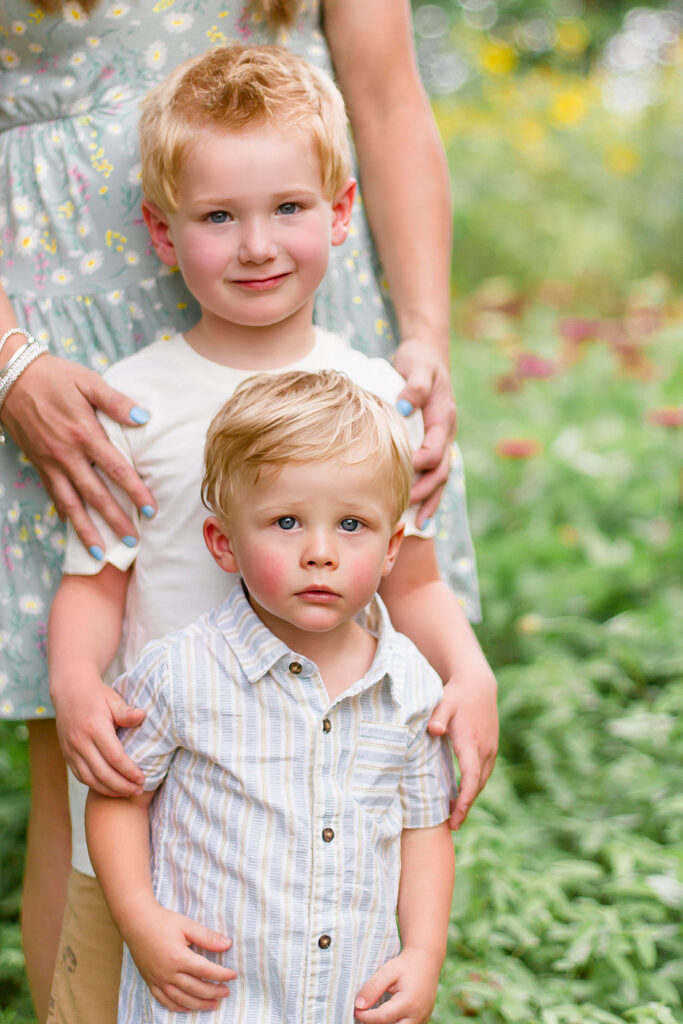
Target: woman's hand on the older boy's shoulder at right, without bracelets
{"x": 429, "y": 389}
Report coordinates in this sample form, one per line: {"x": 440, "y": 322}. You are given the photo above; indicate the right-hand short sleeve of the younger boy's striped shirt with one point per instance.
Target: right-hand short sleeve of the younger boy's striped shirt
{"x": 429, "y": 781}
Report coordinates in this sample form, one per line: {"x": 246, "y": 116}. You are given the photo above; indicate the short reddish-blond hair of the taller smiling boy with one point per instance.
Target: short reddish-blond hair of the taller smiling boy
{"x": 228, "y": 89}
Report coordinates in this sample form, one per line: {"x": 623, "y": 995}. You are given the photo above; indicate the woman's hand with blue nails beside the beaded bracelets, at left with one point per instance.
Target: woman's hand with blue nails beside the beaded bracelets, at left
{"x": 51, "y": 415}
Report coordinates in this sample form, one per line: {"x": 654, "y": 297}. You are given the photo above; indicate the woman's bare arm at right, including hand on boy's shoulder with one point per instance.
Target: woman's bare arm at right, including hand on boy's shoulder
{"x": 406, "y": 189}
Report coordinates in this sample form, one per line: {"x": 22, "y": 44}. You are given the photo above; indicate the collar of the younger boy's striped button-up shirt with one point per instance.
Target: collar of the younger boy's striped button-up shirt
{"x": 259, "y": 651}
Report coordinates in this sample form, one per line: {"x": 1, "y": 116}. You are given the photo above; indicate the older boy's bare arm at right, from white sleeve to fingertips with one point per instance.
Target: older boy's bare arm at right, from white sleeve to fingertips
{"x": 424, "y": 608}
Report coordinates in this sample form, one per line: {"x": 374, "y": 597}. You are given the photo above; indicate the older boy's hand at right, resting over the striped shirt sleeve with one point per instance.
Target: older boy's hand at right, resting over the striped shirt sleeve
{"x": 468, "y": 713}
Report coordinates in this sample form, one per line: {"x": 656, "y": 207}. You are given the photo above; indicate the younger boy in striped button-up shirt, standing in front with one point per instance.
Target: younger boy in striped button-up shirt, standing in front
{"x": 295, "y": 798}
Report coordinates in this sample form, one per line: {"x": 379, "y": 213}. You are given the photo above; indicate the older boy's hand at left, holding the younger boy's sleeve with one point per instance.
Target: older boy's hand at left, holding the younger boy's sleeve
{"x": 88, "y": 718}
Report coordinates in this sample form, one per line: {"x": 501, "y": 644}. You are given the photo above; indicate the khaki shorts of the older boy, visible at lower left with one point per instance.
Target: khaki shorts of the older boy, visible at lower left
{"x": 86, "y": 988}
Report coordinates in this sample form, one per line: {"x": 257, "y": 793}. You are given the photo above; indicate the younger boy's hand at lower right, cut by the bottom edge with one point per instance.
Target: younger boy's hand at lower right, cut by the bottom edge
{"x": 411, "y": 978}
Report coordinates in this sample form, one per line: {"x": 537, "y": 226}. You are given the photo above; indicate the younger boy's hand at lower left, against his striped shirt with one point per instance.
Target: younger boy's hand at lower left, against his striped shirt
{"x": 177, "y": 976}
